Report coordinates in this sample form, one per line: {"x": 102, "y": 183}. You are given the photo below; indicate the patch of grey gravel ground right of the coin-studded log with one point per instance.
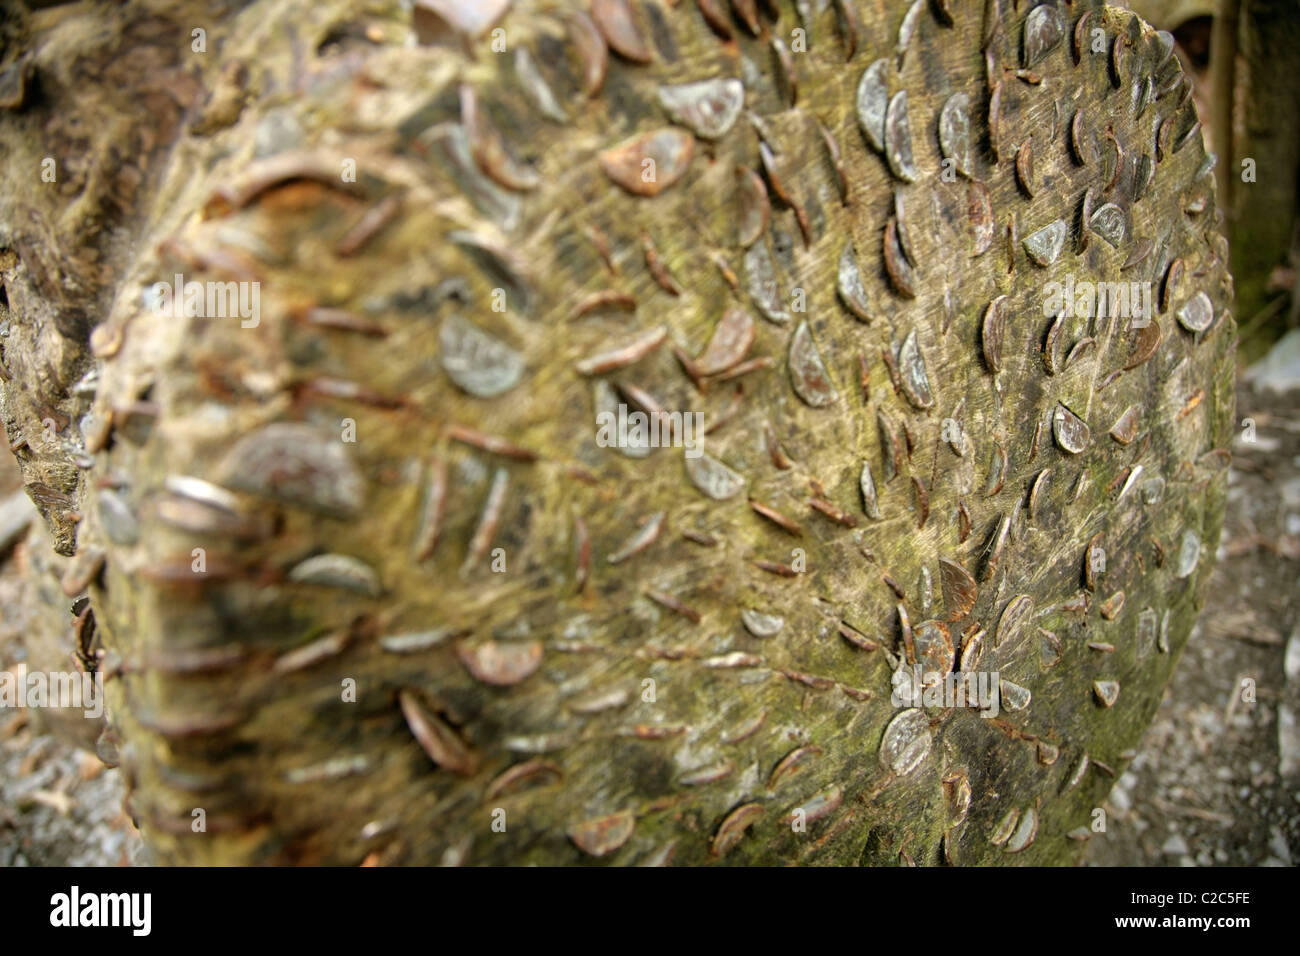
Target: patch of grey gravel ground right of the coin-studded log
{"x": 1217, "y": 778}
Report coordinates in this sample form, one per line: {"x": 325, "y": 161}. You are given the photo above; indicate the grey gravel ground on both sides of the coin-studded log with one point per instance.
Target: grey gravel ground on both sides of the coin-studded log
{"x": 1216, "y": 780}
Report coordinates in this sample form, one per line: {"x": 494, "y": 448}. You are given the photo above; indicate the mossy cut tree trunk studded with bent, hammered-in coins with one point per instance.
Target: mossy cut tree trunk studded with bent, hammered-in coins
{"x": 370, "y": 583}
